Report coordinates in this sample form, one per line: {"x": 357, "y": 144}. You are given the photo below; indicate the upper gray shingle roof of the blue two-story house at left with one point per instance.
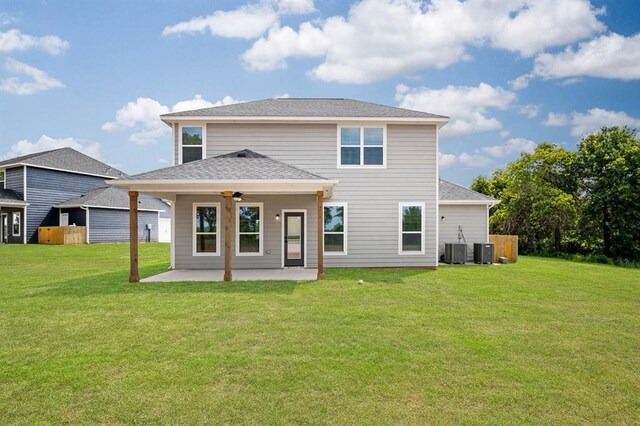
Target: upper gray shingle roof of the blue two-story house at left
{"x": 65, "y": 159}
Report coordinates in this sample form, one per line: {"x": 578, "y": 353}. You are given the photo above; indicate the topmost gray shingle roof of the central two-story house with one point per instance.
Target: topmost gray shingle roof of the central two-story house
{"x": 306, "y": 107}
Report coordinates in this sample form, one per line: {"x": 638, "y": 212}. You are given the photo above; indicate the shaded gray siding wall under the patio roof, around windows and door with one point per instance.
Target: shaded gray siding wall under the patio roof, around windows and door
{"x": 272, "y": 233}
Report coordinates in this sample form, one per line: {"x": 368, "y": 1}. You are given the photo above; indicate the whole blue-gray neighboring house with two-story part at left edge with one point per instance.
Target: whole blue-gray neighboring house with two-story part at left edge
{"x": 65, "y": 187}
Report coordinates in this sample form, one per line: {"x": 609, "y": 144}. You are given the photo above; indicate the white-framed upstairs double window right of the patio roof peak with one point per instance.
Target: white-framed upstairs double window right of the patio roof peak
{"x": 362, "y": 146}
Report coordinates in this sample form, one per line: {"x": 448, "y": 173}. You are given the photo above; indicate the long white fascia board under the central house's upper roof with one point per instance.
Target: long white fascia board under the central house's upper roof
{"x": 235, "y": 119}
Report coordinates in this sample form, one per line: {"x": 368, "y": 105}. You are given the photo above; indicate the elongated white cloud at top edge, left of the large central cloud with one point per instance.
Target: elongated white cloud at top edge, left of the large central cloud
{"x": 247, "y": 22}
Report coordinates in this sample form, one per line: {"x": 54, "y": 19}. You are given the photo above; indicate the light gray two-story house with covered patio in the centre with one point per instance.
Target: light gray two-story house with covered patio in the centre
{"x": 307, "y": 183}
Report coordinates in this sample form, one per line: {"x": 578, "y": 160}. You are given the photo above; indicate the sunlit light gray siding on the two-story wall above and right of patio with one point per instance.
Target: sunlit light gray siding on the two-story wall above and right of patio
{"x": 372, "y": 195}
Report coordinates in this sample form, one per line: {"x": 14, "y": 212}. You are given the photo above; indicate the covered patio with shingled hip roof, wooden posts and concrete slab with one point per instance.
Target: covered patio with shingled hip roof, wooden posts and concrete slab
{"x": 225, "y": 182}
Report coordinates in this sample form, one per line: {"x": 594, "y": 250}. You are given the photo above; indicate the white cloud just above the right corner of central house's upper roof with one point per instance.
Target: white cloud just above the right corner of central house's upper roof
{"x": 467, "y": 106}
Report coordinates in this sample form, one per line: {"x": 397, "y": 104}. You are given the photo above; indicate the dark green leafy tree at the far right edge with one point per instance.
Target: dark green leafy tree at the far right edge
{"x": 609, "y": 165}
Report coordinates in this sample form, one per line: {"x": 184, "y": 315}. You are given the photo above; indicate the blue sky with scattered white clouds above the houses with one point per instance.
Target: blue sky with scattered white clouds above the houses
{"x": 511, "y": 74}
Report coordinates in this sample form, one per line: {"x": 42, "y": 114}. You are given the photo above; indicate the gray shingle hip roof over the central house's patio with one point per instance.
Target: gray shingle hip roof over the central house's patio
{"x": 239, "y": 165}
